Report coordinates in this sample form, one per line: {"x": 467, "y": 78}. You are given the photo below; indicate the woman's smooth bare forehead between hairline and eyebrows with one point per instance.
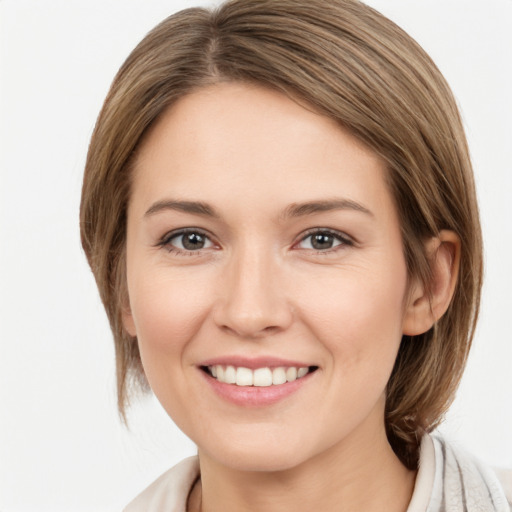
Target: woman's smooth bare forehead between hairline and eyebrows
{"x": 235, "y": 140}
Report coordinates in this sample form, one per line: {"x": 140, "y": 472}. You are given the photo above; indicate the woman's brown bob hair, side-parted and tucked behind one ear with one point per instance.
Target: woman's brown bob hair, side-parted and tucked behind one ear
{"x": 345, "y": 61}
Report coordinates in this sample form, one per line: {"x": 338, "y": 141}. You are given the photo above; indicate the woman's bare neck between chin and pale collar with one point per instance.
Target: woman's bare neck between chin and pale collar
{"x": 356, "y": 474}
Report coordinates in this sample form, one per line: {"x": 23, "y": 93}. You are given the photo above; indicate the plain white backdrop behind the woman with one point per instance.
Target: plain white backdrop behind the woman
{"x": 62, "y": 447}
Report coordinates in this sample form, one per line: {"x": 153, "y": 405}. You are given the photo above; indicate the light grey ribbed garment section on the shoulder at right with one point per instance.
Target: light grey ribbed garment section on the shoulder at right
{"x": 463, "y": 484}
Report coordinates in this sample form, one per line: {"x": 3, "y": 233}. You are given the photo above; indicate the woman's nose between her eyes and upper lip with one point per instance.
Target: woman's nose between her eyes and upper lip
{"x": 252, "y": 302}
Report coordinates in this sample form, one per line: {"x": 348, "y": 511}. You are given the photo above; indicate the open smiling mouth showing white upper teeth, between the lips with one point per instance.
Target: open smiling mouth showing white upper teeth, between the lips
{"x": 258, "y": 377}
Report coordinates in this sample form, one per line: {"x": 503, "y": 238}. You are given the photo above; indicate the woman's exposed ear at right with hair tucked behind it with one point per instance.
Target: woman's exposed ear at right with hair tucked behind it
{"x": 423, "y": 308}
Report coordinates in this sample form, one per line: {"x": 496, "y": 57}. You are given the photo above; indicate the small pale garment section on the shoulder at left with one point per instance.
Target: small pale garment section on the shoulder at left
{"x": 170, "y": 491}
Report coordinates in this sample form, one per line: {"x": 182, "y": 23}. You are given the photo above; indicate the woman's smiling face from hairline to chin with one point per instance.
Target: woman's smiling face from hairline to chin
{"x": 266, "y": 277}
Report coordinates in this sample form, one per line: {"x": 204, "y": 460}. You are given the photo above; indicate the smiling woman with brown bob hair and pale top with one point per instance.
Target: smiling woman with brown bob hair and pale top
{"x": 279, "y": 210}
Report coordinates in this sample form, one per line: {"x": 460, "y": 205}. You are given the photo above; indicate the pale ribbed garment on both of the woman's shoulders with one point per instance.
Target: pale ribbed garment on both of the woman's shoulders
{"x": 448, "y": 480}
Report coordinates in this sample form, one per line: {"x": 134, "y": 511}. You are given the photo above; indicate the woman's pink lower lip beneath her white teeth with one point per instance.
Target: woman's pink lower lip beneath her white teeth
{"x": 255, "y": 396}
